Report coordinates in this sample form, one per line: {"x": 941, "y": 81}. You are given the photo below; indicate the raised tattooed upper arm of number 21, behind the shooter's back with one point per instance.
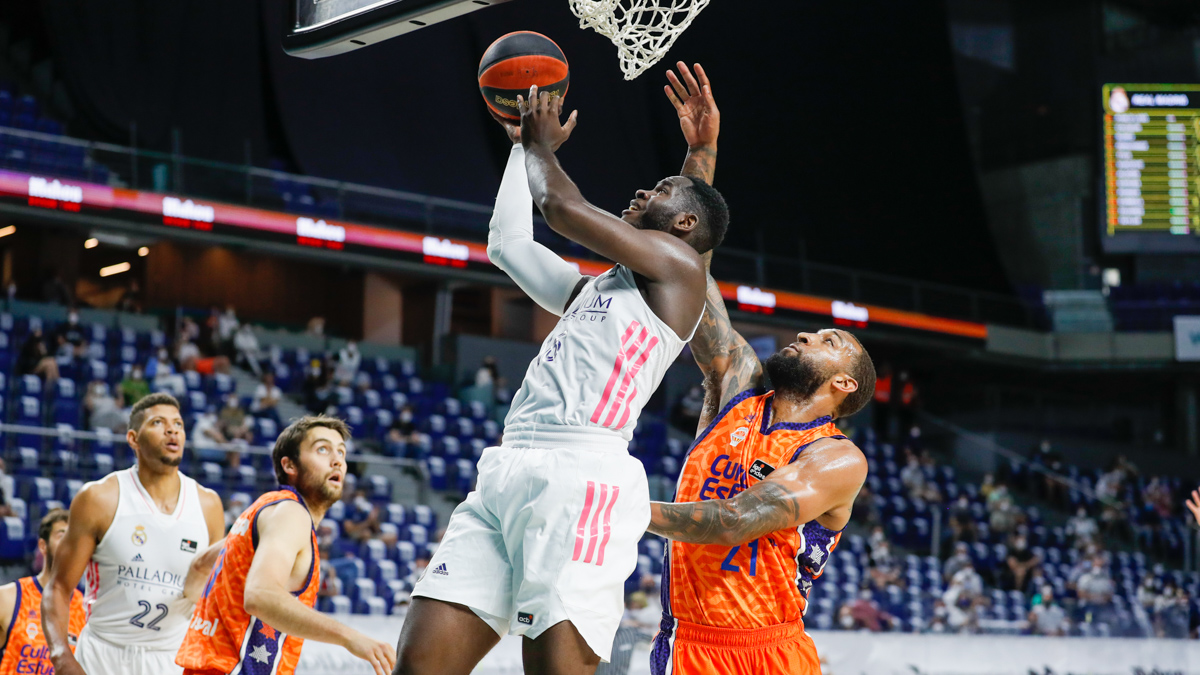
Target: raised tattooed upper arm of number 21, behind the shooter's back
{"x": 723, "y": 355}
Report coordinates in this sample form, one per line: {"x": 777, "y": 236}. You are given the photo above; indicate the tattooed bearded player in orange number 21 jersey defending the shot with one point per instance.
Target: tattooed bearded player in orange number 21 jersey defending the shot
{"x": 764, "y": 497}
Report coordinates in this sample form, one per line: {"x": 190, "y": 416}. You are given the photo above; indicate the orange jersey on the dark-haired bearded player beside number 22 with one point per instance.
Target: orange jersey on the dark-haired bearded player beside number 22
{"x": 223, "y": 637}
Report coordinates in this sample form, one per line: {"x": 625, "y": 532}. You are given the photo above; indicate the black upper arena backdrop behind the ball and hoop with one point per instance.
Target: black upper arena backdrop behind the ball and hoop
{"x": 844, "y": 141}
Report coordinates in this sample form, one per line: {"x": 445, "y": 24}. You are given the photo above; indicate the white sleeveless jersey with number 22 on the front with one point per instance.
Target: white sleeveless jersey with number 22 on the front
{"x": 135, "y": 584}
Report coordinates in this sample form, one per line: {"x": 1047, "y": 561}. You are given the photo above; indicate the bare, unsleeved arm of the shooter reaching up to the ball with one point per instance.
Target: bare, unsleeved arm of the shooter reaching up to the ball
{"x": 658, "y": 256}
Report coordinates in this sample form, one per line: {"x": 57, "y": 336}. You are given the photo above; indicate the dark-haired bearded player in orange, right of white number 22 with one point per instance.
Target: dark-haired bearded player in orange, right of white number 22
{"x": 257, "y": 608}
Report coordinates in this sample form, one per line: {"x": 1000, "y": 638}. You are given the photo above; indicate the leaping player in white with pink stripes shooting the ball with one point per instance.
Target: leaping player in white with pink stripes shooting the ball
{"x": 545, "y": 543}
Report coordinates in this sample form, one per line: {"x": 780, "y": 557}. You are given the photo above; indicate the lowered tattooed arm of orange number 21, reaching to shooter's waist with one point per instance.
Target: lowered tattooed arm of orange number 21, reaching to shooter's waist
{"x": 824, "y": 482}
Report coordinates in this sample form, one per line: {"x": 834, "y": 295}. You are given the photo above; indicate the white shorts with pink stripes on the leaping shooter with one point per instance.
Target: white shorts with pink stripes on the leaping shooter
{"x": 548, "y": 536}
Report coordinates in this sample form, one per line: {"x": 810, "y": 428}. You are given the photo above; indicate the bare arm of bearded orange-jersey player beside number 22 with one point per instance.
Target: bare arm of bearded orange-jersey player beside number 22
{"x": 285, "y": 533}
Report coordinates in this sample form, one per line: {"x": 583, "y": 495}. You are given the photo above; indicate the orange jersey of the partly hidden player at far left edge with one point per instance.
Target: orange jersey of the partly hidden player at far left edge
{"x": 25, "y": 649}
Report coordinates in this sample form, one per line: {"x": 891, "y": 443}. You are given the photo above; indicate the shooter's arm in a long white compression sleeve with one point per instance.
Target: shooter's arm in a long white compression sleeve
{"x": 548, "y": 279}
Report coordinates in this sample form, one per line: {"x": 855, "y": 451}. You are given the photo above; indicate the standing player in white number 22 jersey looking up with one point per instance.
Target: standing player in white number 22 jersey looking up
{"x": 143, "y": 537}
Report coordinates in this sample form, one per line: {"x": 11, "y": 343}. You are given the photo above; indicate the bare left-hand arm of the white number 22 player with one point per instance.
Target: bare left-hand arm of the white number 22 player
{"x": 92, "y": 513}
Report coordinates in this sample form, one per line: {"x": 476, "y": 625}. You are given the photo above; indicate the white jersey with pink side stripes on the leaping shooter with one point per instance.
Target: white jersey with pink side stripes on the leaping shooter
{"x": 598, "y": 368}
